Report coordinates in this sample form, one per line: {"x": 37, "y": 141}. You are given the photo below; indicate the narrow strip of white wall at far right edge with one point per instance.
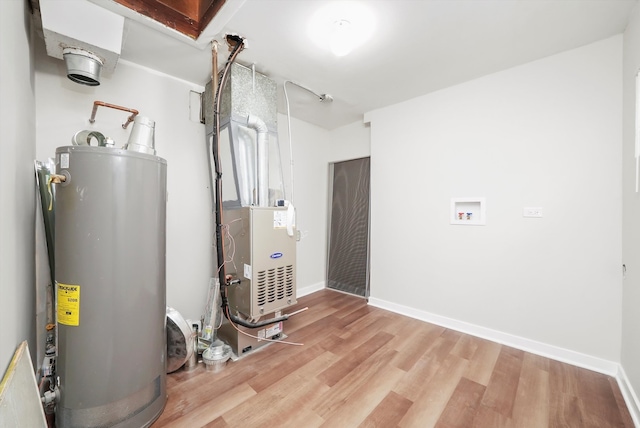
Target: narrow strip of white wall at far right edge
{"x": 631, "y": 214}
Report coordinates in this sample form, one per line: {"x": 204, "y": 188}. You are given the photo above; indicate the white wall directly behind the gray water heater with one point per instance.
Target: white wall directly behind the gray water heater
{"x": 64, "y": 107}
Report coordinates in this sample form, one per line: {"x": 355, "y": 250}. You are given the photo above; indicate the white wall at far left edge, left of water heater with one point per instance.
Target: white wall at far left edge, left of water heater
{"x": 17, "y": 192}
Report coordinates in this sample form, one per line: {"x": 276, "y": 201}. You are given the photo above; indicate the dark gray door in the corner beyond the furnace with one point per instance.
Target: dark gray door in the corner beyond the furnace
{"x": 348, "y": 259}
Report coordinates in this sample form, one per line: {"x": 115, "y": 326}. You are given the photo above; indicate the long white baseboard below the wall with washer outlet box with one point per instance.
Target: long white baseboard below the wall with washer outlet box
{"x": 596, "y": 364}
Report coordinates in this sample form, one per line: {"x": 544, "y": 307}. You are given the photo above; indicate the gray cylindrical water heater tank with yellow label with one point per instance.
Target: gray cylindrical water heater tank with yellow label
{"x": 110, "y": 287}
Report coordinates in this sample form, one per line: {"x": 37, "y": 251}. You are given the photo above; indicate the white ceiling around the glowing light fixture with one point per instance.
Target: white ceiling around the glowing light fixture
{"x": 418, "y": 46}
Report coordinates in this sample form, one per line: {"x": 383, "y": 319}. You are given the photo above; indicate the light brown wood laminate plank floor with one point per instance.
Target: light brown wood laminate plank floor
{"x": 362, "y": 366}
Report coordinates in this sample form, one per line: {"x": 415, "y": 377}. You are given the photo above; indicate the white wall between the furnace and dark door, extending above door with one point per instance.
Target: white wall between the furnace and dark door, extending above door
{"x": 313, "y": 149}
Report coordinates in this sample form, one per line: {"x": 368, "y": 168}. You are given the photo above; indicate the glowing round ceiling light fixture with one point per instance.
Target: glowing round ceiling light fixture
{"x": 341, "y": 27}
